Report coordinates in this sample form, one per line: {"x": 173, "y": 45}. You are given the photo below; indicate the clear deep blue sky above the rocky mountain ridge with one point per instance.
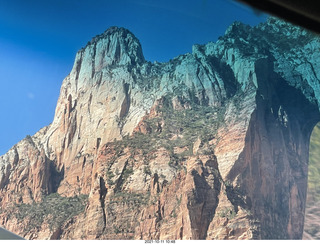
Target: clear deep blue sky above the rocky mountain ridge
{"x": 39, "y": 40}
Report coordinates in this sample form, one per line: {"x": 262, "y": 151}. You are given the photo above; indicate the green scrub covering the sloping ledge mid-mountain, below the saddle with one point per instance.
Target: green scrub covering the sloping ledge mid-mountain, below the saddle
{"x": 174, "y": 128}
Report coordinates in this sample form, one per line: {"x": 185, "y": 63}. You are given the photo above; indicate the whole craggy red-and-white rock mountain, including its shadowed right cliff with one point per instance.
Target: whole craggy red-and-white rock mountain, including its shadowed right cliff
{"x": 210, "y": 145}
